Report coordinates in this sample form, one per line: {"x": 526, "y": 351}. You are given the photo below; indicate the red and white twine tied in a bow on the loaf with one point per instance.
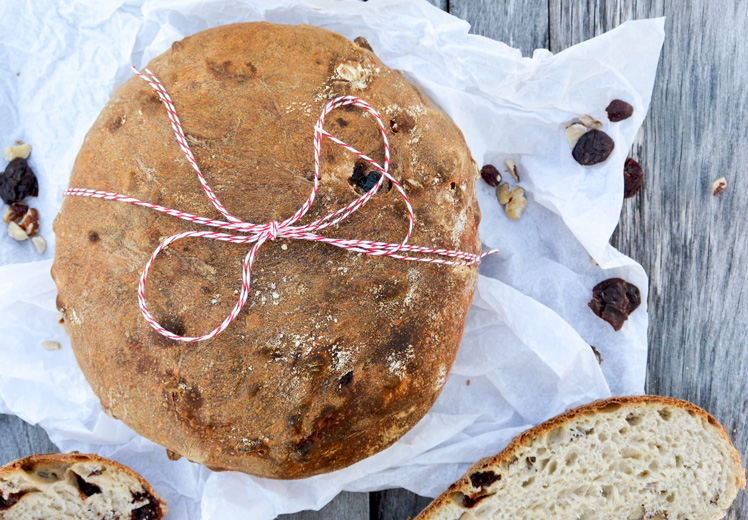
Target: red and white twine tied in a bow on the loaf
{"x": 258, "y": 234}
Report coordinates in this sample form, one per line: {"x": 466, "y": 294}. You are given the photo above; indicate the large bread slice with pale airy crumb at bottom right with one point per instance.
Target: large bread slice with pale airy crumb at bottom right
{"x": 623, "y": 458}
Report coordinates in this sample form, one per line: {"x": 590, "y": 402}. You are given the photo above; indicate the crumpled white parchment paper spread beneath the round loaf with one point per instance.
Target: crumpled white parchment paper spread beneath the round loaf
{"x": 525, "y": 354}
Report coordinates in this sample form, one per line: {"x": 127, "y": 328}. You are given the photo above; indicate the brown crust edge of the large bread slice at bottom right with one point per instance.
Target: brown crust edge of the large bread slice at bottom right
{"x": 526, "y": 437}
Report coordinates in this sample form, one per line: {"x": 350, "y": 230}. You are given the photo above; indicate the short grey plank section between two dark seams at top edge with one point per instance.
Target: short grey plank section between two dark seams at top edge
{"x": 520, "y": 23}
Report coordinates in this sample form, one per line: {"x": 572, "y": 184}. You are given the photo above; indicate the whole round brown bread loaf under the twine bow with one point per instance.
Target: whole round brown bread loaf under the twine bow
{"x": 336, "y": 354}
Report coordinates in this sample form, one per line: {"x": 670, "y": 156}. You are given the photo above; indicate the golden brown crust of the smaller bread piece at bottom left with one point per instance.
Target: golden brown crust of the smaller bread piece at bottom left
{"x": 56, "y": 460}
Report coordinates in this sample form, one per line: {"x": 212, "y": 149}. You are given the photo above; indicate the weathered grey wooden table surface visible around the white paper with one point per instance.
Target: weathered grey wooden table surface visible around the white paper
{"x": 694, "y": 246}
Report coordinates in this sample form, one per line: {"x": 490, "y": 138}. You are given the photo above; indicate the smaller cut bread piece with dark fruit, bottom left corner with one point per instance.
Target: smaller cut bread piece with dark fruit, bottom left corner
{"x": 75, "y": 487}
